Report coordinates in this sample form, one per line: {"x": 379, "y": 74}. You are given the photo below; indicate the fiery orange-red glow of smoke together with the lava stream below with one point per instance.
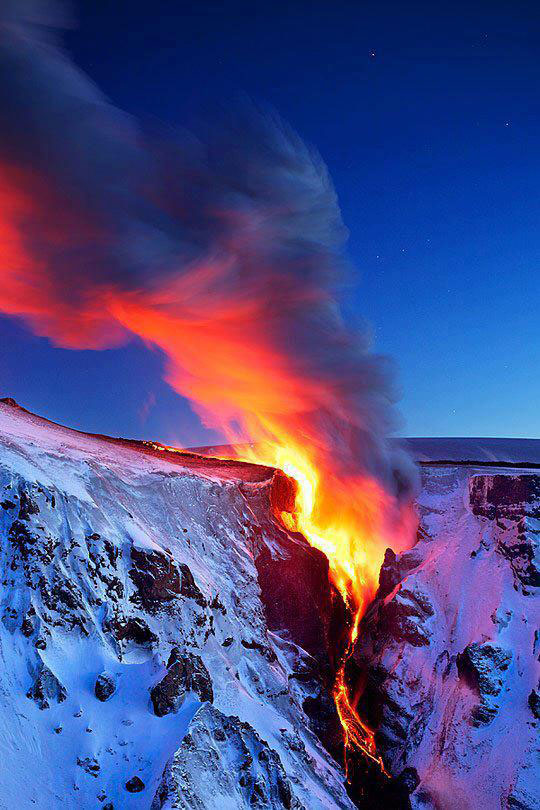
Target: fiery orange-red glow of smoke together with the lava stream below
{"x": 224, "y": 353}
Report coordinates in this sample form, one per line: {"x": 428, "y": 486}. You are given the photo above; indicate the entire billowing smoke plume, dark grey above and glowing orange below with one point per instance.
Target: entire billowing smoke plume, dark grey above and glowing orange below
{"x": 220, "y": 247}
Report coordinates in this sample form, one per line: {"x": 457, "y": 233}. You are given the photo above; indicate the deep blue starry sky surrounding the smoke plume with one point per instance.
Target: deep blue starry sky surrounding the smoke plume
{"x": 428, "y": 116}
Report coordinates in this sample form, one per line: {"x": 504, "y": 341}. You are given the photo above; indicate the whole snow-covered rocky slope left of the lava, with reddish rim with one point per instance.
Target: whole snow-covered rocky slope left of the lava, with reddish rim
{"x": 138, "y": 668}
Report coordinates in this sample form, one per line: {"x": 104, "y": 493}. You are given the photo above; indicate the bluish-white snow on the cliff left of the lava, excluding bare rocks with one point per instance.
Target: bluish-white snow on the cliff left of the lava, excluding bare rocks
{"x": 94, "y": 502}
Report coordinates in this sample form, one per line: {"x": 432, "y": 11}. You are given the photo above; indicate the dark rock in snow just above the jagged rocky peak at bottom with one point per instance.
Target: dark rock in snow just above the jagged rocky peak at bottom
{"x": 185, "y": 673}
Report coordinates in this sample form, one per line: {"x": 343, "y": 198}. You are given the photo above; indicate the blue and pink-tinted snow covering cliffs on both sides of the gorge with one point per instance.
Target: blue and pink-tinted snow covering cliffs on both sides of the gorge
{"x": 101, "y": 500}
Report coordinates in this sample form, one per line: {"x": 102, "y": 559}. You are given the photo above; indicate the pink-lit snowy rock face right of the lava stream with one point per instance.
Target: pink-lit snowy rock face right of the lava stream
{"x": 450, "y": 648}
